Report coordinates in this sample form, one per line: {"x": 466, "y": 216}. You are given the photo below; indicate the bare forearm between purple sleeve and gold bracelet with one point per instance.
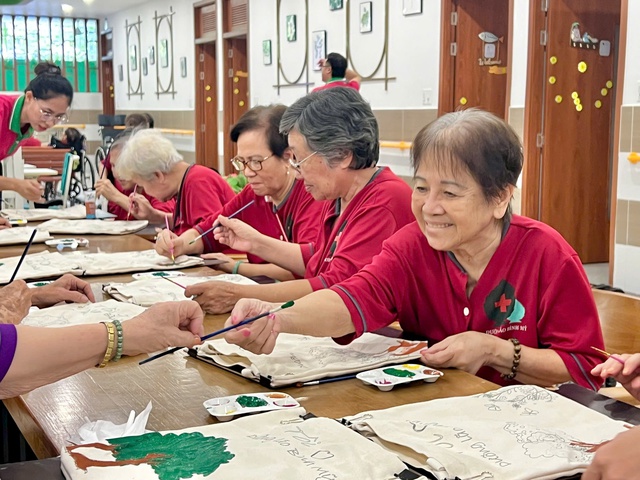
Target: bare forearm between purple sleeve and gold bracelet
{"x": 45, "y": 355}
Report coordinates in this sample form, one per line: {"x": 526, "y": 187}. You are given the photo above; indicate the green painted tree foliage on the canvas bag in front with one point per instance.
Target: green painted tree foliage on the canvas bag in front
{"x": 174, "y": 456}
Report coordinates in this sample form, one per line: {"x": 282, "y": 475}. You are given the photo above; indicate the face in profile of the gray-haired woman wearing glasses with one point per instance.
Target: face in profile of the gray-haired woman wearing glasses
{"x": 321, "y": 181}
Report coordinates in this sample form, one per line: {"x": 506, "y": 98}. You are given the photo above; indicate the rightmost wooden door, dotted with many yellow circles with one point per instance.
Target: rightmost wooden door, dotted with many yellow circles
{"x": 570, "y": 106}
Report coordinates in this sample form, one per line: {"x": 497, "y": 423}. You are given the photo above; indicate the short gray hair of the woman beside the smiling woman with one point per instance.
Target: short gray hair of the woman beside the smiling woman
{"x": 335, "y": 123}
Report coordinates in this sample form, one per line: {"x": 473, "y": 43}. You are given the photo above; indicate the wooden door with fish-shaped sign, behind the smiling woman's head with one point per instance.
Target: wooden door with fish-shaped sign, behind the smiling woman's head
{"x": 474, "y": 53}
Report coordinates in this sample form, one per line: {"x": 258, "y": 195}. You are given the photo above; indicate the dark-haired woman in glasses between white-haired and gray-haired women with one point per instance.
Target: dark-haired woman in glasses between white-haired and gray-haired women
{"x": 281, "y": 206}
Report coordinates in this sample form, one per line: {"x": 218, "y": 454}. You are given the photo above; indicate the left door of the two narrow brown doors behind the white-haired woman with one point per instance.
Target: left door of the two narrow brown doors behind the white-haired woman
{"x": 206, "y": 106}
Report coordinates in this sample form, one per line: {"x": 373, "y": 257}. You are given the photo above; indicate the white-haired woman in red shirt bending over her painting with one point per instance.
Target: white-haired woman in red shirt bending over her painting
{"x": 149, "y": 160}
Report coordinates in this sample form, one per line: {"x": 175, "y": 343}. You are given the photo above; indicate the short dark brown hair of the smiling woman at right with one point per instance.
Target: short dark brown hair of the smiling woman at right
{"x": 476, "y": 141}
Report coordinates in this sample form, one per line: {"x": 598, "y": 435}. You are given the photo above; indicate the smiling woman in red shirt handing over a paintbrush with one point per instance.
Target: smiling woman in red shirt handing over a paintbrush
{"x": 499, "y": 296}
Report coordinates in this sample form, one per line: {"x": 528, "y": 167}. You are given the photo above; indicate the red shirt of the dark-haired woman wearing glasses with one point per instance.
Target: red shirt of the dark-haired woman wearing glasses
{"x": 298, "y": 215}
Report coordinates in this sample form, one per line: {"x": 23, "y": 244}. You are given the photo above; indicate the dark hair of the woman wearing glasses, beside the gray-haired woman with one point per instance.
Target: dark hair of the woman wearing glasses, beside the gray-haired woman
{"x": 265, "y": 118}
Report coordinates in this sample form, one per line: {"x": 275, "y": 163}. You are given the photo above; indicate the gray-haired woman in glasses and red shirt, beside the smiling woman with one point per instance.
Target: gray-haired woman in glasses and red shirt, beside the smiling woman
{"x": 333, "y": 136}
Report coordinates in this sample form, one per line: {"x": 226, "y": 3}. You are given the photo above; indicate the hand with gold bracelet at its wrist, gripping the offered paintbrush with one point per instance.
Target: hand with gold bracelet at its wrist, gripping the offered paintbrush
{"x": 163, "y": 325}
